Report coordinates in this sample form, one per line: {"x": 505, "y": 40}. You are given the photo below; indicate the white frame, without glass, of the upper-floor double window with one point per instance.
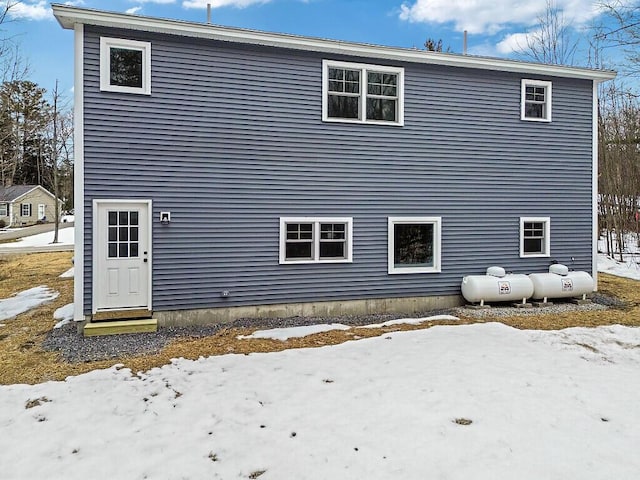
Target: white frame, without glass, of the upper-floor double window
{"x": 364, "y": 69}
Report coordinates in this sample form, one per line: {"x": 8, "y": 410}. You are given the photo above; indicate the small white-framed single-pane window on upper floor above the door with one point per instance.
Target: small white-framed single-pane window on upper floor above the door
{"x": 125, "y": 66}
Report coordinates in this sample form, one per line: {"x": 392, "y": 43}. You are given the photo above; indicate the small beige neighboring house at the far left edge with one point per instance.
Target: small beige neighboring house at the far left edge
{"x": 22, "y": 205}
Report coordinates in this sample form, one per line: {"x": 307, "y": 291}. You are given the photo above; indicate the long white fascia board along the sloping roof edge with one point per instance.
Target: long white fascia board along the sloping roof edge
{"x": 68, "y": 16}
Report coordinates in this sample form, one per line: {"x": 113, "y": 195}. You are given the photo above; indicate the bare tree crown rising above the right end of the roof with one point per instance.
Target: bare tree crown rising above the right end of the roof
{"x": 552, "y": 40}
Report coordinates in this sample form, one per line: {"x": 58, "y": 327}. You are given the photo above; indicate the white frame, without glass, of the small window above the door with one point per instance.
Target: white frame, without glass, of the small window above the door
{"x": 106, "y": 43}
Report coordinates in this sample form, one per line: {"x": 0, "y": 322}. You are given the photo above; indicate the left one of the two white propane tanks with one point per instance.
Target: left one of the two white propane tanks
{"x": 496, "y": 286}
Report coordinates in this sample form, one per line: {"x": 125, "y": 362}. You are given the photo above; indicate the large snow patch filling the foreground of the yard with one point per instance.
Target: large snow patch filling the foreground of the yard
{"x": 529, "y": 405}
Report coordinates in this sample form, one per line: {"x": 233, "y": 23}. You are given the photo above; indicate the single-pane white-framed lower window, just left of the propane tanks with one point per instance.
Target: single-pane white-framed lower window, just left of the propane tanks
{"x": 414, "y": 244}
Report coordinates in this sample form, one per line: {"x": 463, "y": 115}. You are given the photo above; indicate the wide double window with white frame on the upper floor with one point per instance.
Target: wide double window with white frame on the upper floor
{"x": 360, "y": 93}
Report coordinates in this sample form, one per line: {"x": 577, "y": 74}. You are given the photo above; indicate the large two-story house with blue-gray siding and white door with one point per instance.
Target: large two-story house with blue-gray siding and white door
{"x": 223, "y": 172}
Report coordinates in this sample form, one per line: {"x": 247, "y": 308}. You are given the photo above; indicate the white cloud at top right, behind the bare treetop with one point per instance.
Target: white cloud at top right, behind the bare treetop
{"x": 492, "y": 17}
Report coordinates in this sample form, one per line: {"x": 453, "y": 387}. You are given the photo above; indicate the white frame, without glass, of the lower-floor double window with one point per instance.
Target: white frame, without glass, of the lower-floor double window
{"x": 316, "y": 221}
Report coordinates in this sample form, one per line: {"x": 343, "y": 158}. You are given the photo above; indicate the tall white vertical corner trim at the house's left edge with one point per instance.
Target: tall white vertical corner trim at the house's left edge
{"x": 78, "y": 176}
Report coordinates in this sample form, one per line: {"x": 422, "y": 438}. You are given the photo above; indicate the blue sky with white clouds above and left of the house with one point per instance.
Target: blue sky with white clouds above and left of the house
{"x": 496, "y": 27}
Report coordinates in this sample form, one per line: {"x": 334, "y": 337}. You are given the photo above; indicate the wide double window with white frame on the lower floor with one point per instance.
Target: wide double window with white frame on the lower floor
{"x": 315, "y": 239}
